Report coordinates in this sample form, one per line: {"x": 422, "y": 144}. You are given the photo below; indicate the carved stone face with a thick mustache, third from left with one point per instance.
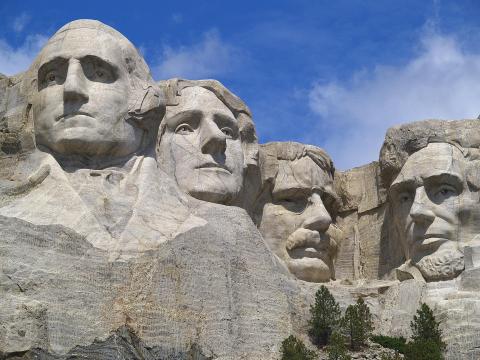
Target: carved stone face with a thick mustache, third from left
{"x": 295, "y": 223}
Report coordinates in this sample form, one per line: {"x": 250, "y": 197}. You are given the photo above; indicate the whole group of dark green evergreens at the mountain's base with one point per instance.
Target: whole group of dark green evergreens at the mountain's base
{"x": 331, "y": 330}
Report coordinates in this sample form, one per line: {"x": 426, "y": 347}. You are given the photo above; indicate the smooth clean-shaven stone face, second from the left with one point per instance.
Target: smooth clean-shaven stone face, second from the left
{"x": 201, "y": 147}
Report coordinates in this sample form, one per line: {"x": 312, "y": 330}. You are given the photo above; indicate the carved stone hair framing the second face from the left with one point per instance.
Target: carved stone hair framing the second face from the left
{"x": 173, "y": 90}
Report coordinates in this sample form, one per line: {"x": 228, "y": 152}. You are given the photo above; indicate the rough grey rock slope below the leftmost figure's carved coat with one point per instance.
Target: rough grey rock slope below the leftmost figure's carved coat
{"x": 61, "y": 292}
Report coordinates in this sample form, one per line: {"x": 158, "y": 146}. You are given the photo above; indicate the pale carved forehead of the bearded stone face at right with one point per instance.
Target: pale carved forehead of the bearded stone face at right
{"x": 434, "y": 159}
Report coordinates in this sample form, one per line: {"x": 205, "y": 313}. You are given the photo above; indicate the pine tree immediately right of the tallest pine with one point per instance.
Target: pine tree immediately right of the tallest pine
{"x": 357, "y": 324}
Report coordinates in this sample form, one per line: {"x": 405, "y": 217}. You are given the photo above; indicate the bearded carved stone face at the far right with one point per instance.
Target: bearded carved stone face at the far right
{"x": 435, "y": 212}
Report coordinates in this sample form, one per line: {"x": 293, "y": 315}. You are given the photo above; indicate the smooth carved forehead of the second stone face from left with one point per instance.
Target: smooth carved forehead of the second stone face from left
{"x": 199, "y": 98}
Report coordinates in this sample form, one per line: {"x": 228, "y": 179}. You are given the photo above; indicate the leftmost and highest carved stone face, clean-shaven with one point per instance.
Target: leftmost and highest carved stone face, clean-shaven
{"x": 83, "y": 95}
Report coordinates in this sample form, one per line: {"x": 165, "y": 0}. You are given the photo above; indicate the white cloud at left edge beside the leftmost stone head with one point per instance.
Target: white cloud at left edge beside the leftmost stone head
{"x": 15, "y": 60}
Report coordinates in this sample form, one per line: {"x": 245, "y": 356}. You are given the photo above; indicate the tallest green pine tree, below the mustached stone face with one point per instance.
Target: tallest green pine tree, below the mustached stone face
{"x": 325, "y": 316}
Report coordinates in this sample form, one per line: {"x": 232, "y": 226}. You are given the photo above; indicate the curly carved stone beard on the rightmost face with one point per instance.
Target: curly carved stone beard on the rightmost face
{"x": 443, "y": 265}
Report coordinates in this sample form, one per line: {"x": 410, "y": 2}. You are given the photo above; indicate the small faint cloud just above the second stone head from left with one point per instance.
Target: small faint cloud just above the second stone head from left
{"x": 211, "y": 57}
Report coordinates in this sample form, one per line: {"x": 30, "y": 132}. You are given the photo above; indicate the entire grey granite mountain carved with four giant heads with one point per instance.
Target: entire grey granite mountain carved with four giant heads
{"x": 143, "y": 218}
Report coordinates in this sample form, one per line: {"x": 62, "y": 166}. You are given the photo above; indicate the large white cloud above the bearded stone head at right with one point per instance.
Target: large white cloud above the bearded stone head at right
{"x": 442, "y": 81}
